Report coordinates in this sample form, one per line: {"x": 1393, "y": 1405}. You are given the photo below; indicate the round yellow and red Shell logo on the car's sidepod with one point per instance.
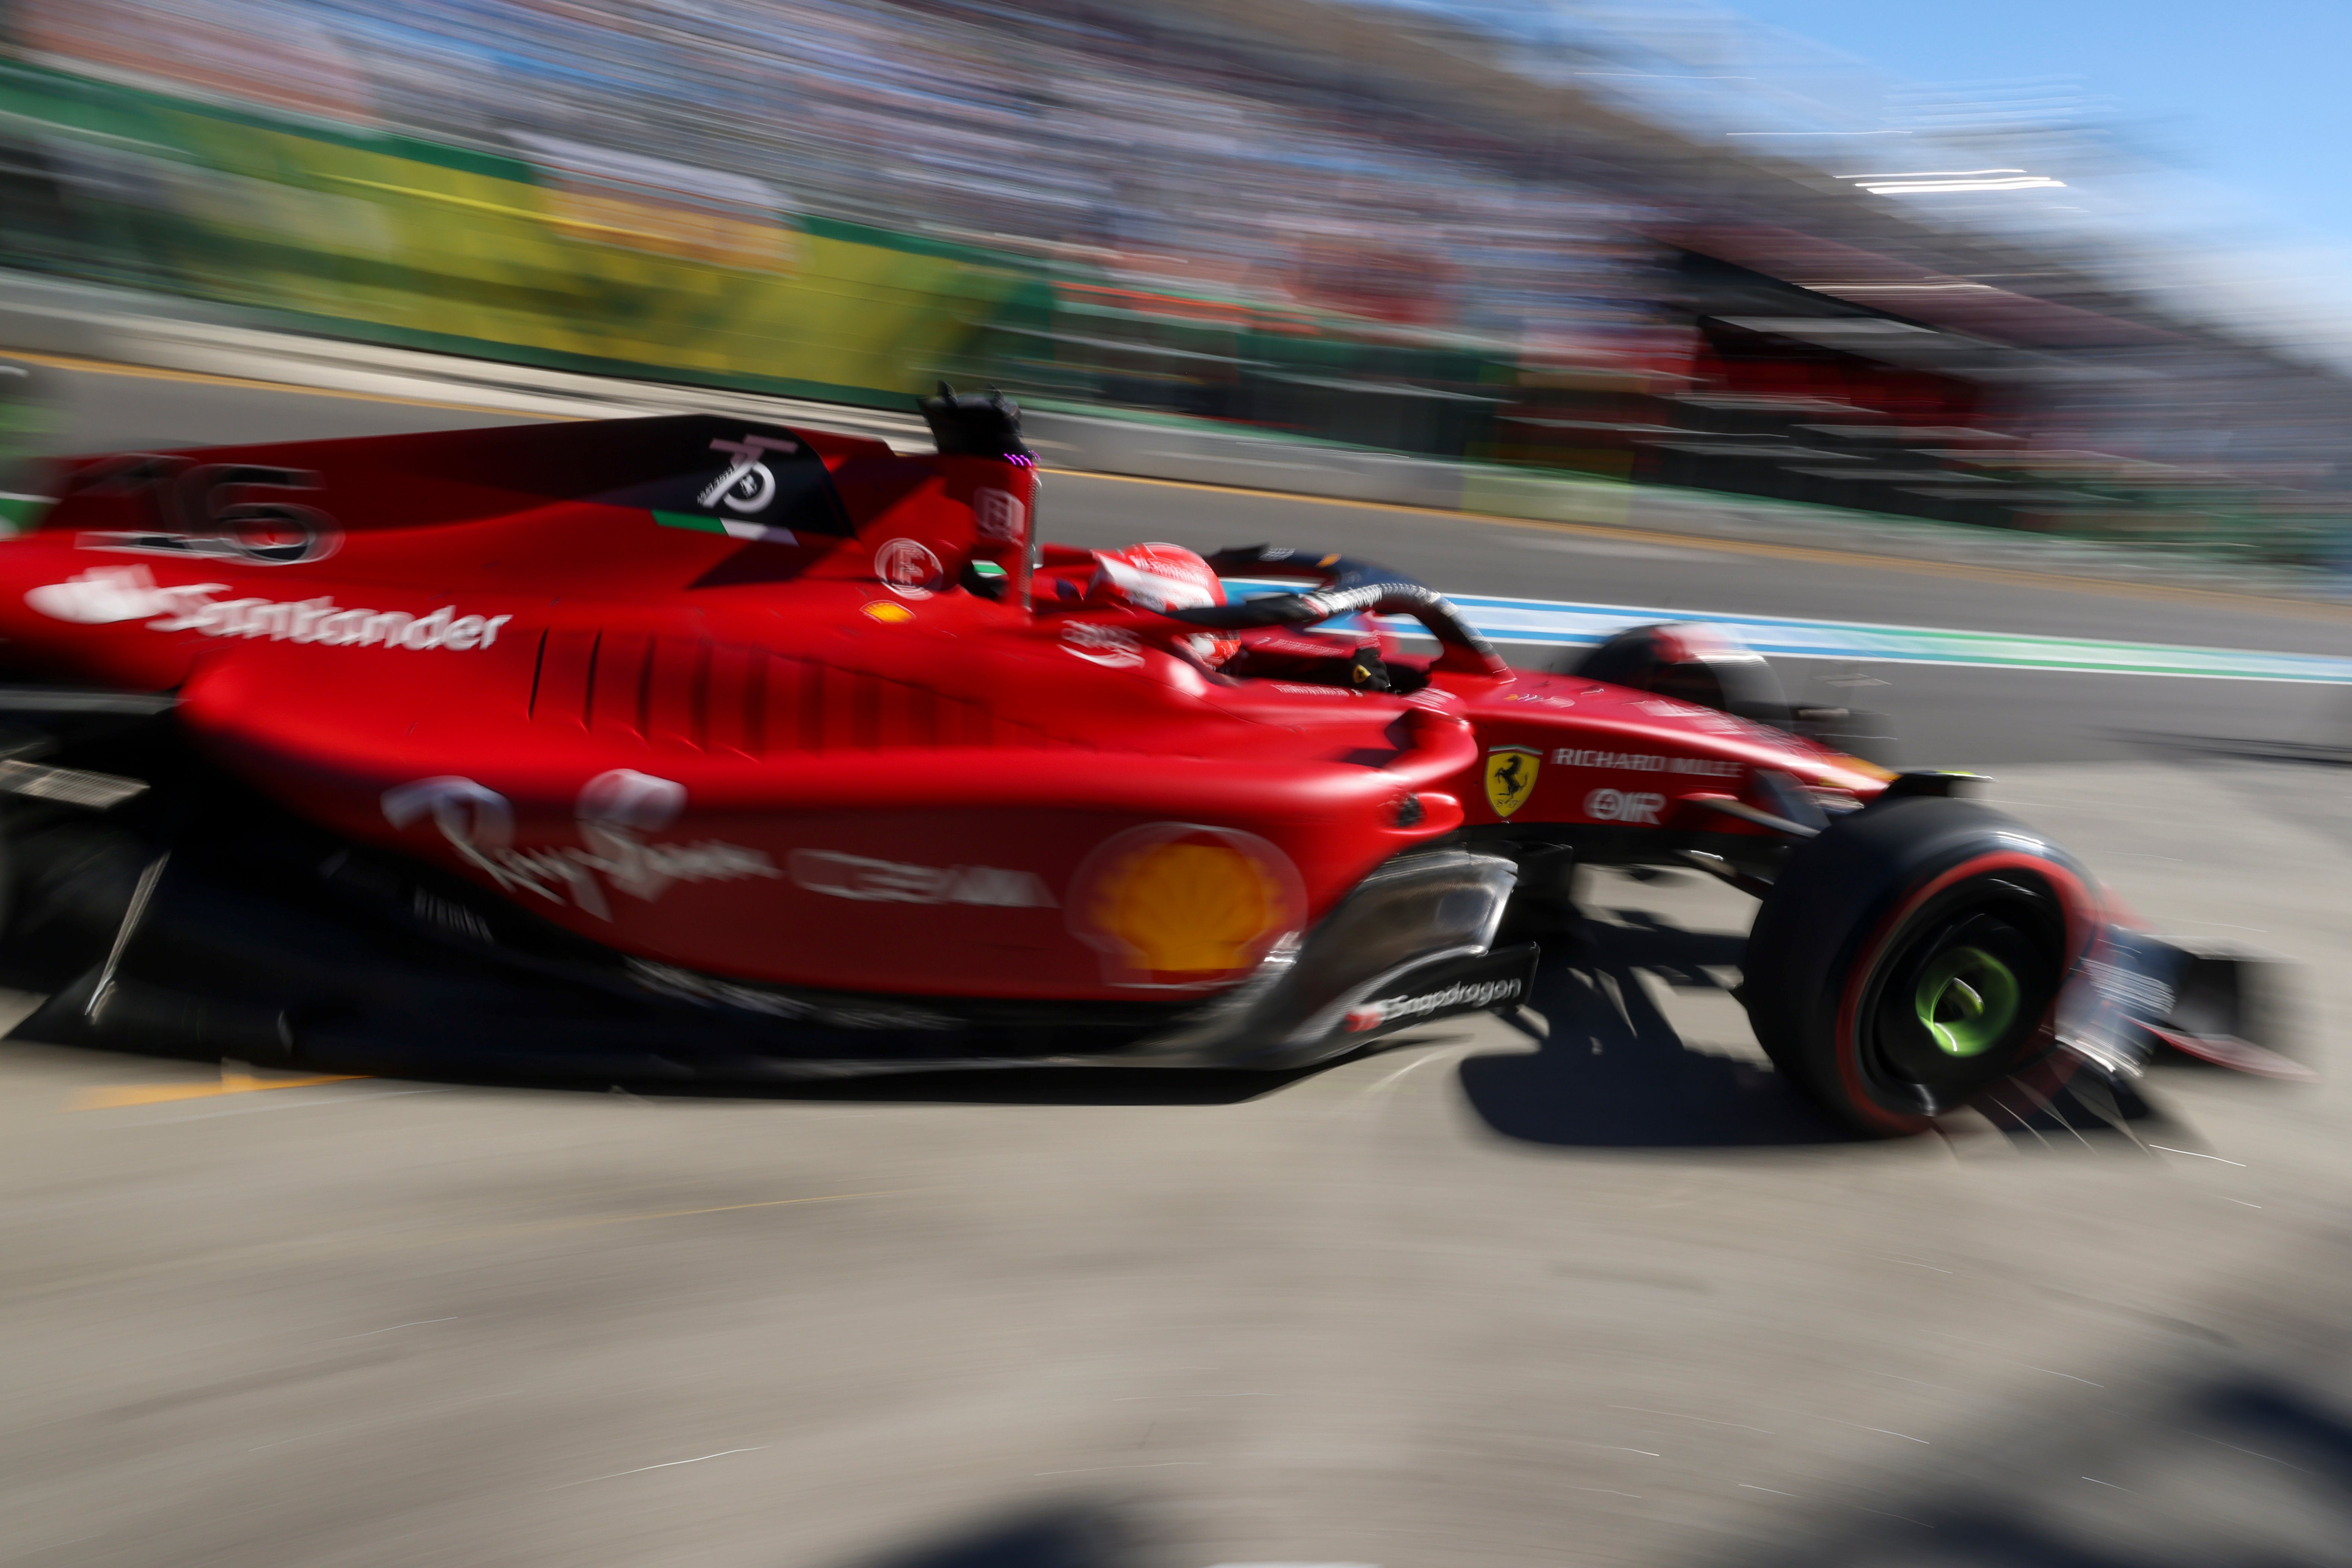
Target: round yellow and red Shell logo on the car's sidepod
{"x": 1182, "y": 906}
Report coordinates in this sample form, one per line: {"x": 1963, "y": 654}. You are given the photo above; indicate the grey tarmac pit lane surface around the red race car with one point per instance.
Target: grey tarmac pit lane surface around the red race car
{"x": 1617, "y": 1299}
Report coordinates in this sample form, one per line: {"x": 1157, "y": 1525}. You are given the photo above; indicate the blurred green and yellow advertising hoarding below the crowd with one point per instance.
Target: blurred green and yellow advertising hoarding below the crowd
{"x": 568, "y": 262}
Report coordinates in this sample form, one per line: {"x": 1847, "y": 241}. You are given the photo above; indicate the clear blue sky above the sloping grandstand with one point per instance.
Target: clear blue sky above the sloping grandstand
{"x": 2229, "y": 121}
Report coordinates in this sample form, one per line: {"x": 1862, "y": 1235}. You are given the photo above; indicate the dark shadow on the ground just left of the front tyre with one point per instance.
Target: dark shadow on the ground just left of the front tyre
{"x": 1617, "y": 1073}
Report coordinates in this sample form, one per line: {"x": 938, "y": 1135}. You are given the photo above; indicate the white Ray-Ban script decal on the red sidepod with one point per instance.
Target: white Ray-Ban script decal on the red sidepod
{"x": 615, "y": 815}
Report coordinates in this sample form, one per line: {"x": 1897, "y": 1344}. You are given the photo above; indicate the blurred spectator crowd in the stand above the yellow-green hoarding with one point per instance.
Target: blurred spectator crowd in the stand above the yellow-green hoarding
{"x": 1067, "y": 133}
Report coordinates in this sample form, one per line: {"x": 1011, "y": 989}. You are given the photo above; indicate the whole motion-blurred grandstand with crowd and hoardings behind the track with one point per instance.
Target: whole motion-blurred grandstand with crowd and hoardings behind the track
{"x": 1405, "y": 229}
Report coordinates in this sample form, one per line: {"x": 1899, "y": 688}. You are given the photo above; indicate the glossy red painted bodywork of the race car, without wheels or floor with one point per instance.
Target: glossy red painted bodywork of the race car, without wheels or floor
{"x": 824, "y": 777}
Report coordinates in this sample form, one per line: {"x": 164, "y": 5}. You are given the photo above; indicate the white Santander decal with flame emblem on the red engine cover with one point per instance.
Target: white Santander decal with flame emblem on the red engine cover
{"x": 131, "y": 594}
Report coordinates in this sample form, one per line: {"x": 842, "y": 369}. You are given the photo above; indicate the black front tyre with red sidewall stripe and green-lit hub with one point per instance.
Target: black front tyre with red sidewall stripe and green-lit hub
{"x": 1911, "y": 958}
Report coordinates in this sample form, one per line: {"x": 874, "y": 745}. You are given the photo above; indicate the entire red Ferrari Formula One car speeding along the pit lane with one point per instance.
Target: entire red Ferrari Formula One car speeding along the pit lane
{"x": 711, "y": 749}
